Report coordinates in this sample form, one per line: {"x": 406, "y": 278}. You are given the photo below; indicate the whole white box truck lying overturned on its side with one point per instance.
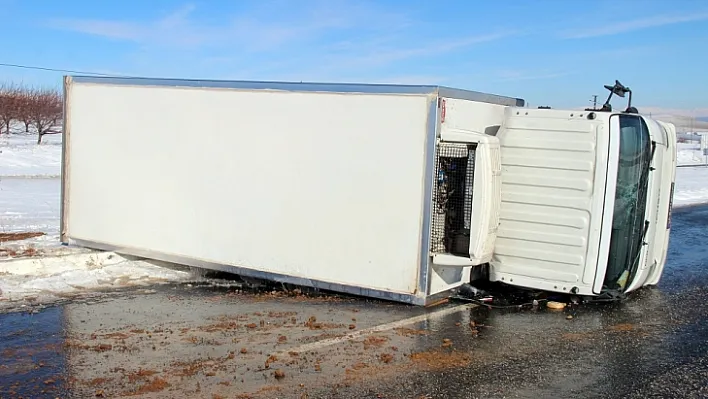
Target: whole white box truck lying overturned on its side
{"x": 395, "y": 192}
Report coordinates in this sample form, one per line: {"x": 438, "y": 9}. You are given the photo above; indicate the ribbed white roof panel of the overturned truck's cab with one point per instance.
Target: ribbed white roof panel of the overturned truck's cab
{"x": 554, "y": 169}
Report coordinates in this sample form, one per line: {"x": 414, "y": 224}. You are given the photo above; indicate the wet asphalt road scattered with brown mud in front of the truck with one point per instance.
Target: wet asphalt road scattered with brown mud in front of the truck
{"x": 180, "y": 341}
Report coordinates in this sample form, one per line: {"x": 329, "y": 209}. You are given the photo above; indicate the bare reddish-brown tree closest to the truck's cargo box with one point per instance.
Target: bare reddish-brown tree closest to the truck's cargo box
{"x": 44, "y": 111}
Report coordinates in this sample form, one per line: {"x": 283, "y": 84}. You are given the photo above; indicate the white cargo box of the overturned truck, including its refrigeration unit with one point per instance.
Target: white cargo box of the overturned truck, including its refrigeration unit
{"x": 384, "y": 191}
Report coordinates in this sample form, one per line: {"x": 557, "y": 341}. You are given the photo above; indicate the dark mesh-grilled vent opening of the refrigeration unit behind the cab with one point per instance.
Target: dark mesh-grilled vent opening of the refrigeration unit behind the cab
{"x": 452, "y": 198}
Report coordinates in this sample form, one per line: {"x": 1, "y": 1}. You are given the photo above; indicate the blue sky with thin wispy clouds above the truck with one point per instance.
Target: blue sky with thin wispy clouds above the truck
{"x": 550, "y": 52}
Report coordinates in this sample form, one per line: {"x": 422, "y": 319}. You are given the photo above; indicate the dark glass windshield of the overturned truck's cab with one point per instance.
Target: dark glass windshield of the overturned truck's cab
{"x": 629, "y": 222}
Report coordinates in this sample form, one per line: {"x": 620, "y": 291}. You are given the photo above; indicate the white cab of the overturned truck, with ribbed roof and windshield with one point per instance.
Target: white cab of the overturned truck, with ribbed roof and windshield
{"x": 585, "y": 201}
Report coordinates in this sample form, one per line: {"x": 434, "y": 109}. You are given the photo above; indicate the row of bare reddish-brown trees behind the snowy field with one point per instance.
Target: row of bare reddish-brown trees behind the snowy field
{"x": 30, "y": 110}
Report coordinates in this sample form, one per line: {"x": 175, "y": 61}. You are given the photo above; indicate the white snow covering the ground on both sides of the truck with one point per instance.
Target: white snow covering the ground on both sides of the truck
{"x": 29, "y": 202}
